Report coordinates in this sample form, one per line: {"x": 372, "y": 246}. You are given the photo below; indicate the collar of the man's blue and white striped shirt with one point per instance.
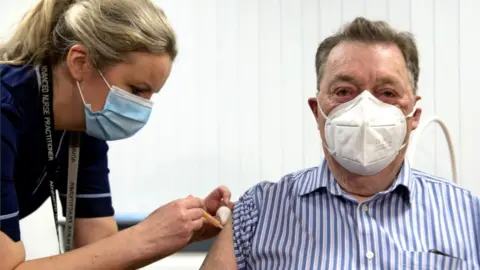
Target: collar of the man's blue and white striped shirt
{"x": 322, "y": 178}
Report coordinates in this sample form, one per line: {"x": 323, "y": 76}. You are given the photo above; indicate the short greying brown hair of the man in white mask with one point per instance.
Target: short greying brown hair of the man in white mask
{"x": 371, "y": 32}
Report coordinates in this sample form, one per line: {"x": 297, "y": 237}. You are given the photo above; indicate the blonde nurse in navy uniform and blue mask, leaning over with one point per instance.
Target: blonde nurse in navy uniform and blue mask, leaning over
{"x": 74, "y": 75}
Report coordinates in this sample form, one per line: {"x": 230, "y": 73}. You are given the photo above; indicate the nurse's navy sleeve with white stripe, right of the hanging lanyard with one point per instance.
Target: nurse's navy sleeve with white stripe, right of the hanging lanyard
{"x": 93, "y": 188}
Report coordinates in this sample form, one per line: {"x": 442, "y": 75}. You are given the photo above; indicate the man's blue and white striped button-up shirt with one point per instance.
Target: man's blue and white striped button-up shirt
{"x": 306, "y": 221}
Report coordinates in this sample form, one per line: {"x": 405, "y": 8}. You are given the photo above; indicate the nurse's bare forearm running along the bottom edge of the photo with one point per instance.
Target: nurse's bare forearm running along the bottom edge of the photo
{"x": 120, "y": 251}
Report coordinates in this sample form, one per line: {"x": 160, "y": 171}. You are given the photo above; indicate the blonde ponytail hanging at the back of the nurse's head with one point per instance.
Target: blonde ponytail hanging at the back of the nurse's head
{"x": 32, "y": 40}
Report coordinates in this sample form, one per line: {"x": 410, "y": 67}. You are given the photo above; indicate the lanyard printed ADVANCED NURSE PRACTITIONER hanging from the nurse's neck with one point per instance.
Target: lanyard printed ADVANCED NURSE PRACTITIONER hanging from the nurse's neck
{"x": 46, "y": 98}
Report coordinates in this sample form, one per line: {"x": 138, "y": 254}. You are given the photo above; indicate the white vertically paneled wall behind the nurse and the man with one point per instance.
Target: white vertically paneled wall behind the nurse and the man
{"x": 234, "y": 111}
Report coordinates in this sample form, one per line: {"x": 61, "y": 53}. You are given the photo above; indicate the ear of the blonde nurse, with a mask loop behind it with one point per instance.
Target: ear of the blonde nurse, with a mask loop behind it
{"x": 78, "y": 63}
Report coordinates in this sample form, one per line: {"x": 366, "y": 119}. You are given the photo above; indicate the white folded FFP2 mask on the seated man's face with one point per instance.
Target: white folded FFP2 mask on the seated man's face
{"x": 364, "y": 135}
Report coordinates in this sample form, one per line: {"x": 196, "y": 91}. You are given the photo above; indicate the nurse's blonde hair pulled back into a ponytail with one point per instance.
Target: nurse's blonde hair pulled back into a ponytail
{"x": 109, "y": 29}
